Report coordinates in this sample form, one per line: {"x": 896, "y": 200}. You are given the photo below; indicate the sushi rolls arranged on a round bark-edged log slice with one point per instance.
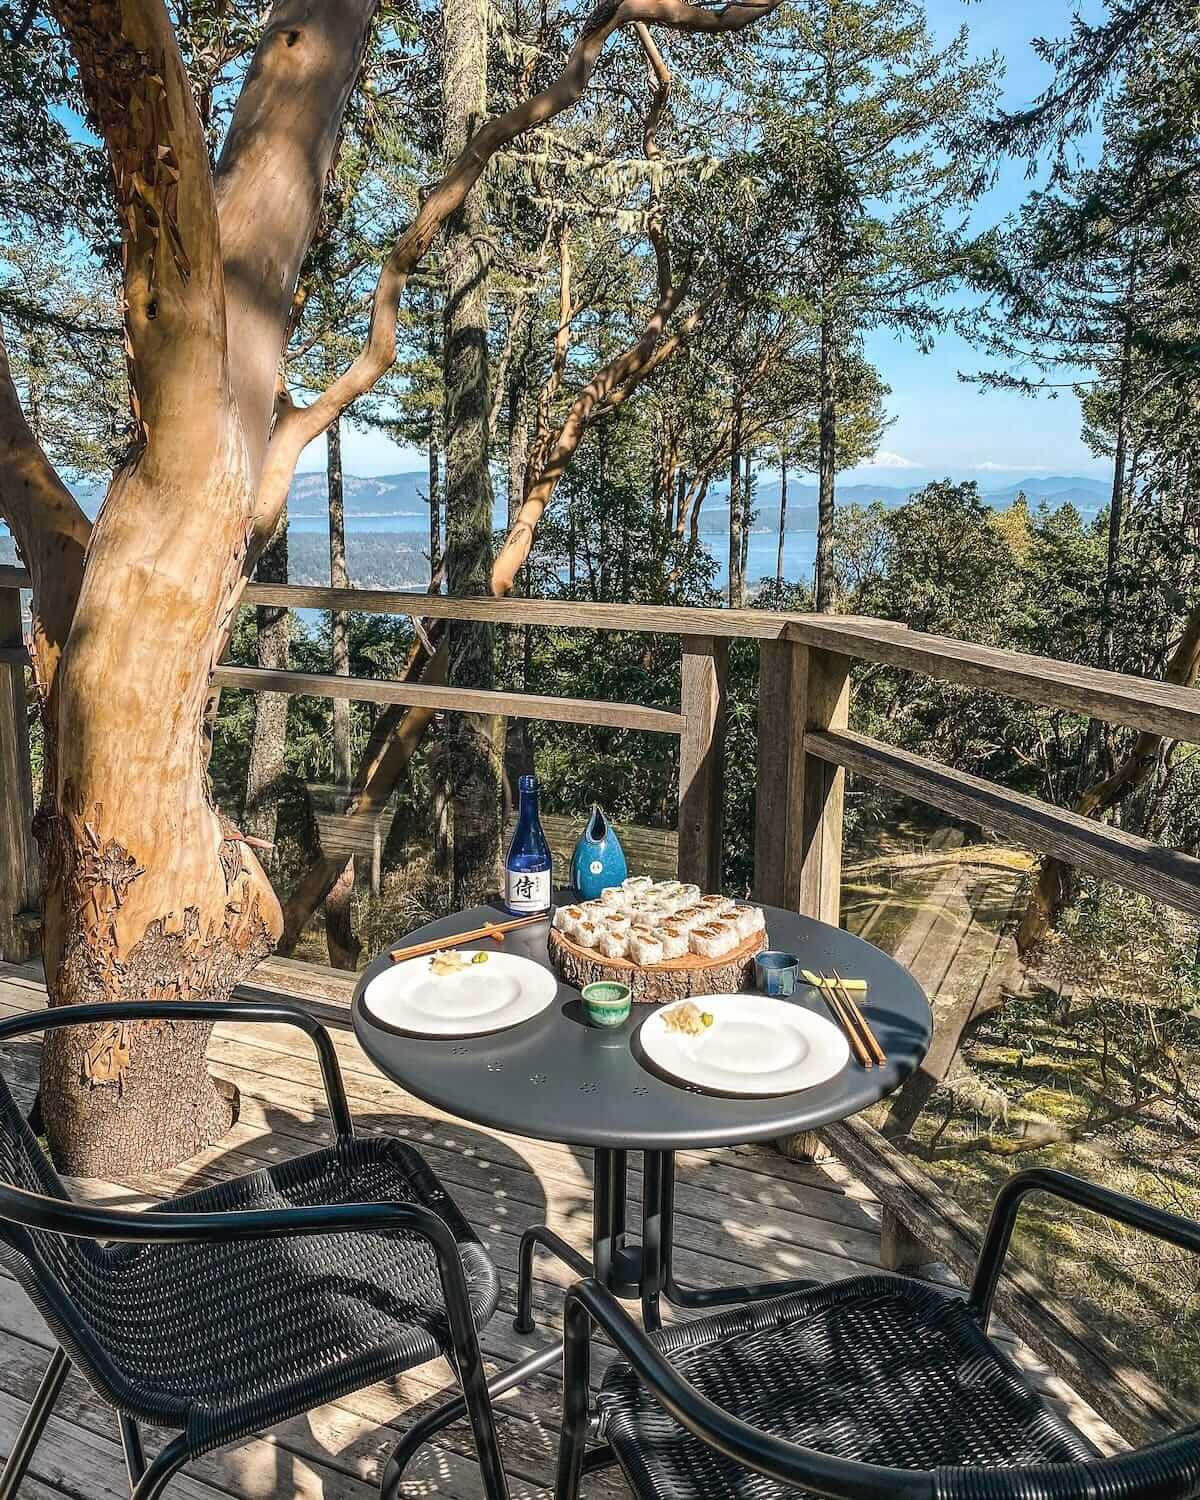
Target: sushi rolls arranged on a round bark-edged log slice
{"x": 664, "y": 940}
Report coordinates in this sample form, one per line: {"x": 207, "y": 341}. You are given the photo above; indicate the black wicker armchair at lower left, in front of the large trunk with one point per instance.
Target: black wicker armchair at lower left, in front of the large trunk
{"x": 229, "y": 1310}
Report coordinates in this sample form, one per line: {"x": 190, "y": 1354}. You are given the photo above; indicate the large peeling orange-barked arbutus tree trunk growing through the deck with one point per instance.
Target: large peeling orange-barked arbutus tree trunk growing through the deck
{"x": 149, "y": 892}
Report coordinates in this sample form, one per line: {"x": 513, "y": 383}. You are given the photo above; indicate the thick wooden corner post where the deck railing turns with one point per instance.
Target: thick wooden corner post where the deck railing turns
{"x": 799, "y": 811}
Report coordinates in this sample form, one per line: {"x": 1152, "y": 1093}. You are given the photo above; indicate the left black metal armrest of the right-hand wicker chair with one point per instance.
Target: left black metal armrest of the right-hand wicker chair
{"x": 751, "y": 1447}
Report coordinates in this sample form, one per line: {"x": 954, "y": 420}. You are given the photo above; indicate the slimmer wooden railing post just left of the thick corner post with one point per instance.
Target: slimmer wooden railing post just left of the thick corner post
{"x": 706, "y": 670}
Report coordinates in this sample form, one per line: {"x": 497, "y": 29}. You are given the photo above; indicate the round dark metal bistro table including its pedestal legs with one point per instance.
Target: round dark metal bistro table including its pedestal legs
{"x": 559, "y": 1079}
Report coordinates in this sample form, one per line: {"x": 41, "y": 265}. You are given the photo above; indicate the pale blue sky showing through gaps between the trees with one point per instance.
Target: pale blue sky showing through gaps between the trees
{"x": 941, "y": 425}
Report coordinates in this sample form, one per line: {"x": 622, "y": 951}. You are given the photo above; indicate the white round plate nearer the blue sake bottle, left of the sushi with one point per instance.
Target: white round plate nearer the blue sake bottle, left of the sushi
{"x": 482, "y": 998}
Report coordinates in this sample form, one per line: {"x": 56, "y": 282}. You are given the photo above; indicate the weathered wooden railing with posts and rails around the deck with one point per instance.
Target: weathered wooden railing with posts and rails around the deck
{"x": 805, "y": 751}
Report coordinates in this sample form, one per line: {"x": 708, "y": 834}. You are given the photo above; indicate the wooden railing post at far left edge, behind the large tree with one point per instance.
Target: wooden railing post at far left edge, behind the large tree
{"x": 19, "y": 859}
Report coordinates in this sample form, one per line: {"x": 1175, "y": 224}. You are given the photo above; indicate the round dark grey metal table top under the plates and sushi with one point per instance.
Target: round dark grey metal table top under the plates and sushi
{"x": 559, "y": 1079}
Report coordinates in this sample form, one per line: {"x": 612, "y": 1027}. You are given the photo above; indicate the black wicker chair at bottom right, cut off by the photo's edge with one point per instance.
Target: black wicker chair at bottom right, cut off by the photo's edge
{"x": 862, "y": 1390}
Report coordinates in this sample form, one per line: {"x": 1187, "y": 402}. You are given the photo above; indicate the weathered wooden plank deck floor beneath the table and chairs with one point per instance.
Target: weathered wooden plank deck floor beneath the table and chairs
{"x": 743, "y": 1214}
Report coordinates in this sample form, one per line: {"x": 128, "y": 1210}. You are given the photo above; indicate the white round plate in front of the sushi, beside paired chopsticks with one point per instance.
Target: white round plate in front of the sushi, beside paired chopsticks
{"x": 757, "y": 1045}
